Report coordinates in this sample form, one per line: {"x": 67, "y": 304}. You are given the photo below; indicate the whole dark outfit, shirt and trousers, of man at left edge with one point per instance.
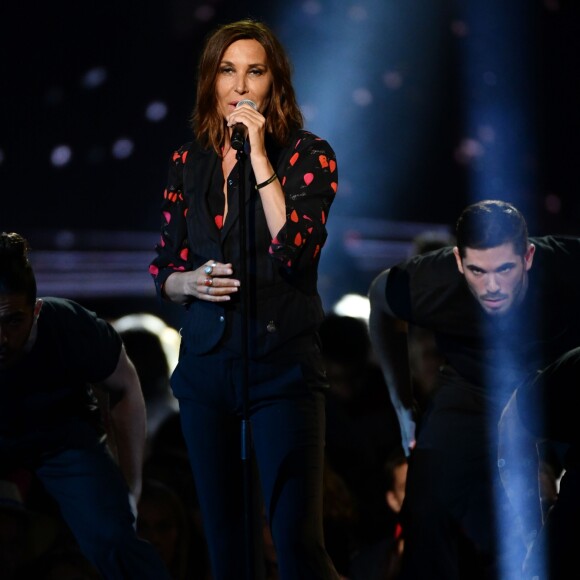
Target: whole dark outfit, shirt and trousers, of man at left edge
{"x": 49, "y": 425}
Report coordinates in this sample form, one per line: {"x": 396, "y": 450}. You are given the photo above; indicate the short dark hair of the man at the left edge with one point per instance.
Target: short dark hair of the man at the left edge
{"x": 16, "y": 273}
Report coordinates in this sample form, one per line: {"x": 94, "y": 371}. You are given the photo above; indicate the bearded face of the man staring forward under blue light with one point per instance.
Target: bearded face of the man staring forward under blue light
{"x": 497, "y": 277}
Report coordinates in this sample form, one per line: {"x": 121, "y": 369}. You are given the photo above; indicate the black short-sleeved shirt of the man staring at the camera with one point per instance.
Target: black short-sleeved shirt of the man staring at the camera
{"x": 492, "y": 355}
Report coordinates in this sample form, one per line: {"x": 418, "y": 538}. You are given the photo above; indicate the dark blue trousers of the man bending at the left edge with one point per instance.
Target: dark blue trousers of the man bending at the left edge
{"x": 93, "y": 499}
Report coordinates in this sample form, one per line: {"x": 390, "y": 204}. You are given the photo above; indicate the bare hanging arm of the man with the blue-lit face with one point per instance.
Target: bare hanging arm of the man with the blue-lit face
{"x": 389, "y": 339}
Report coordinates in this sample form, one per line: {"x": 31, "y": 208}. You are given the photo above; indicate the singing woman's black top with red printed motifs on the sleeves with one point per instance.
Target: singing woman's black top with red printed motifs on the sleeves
{"x": 282, "y": 272}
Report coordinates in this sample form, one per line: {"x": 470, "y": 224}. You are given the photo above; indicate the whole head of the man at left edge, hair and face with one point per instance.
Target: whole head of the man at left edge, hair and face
{"x": 18, "y": 305}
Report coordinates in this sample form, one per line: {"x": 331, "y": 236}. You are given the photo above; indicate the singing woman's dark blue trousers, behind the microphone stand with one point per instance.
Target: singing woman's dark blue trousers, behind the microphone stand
{"x": 286, "y": 414}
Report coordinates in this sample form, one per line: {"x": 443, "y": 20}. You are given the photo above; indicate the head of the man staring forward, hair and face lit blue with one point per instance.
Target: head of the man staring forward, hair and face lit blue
{"x": 494, "y": 254}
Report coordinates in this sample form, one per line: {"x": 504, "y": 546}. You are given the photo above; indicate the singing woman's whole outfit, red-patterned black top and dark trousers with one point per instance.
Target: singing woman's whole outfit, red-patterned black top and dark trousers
{"x": 286, "y": 378}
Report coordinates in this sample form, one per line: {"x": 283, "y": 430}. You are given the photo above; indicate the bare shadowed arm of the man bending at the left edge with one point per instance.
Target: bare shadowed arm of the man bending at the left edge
{"x": 127, "y": 421}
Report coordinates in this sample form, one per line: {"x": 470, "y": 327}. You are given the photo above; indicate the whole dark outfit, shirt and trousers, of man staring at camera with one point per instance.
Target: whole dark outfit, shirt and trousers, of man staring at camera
{"x": 453, "y": 490}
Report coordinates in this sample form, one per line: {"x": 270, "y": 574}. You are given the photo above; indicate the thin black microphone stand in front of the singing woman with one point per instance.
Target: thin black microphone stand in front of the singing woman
{"x": 246, "y": 431}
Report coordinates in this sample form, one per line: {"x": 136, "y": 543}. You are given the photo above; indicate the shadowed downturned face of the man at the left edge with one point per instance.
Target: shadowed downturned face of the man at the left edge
{"x": 16, "y": 320}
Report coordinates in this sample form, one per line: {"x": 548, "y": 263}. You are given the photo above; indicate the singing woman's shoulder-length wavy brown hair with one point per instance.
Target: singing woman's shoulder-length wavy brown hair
{"x": 282, "y": 114}
